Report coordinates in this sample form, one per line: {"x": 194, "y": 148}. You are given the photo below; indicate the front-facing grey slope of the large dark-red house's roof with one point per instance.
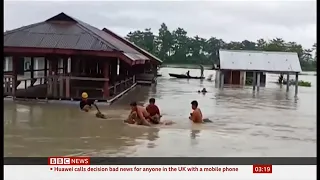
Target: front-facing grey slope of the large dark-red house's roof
{"x": 55, "y": 35}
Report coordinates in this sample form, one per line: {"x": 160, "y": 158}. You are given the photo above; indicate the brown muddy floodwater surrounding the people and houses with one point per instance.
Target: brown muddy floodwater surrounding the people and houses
{"x": 271, "y": 123}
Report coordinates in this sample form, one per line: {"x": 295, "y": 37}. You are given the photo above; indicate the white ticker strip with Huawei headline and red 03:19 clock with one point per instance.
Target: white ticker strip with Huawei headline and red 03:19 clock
{"x": 158, "y": 172}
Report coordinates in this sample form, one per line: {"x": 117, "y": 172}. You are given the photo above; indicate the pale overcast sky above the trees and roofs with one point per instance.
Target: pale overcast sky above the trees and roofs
{"x": 229, "y": 20}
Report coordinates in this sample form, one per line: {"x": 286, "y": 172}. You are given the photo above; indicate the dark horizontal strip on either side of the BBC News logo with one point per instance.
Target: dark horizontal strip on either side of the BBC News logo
{"x": 174, "y": 160}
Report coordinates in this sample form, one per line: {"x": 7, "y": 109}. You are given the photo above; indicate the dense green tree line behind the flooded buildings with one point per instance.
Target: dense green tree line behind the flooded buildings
{"x": 176, "y": 47}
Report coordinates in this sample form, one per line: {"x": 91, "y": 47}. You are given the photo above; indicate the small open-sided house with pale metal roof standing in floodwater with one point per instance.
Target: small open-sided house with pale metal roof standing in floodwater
{"x": 239, "y": 67}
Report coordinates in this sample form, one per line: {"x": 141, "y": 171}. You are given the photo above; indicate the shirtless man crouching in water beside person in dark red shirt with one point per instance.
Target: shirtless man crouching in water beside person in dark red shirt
{"x": 138, "y": 115}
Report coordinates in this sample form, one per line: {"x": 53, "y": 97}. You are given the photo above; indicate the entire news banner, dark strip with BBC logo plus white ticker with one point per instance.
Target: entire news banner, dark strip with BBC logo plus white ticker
{"x": 84, "y": 168}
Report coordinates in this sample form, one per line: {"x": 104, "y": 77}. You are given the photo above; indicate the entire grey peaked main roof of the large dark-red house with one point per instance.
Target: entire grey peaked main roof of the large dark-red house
{"x": 65, "y": 32}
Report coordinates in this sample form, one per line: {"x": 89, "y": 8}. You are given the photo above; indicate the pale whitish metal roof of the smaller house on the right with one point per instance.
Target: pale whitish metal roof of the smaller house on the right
{"x": 259, "y": 61}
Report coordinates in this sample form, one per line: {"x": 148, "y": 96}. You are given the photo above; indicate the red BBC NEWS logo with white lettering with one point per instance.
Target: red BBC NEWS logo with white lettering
{"x": 68, "y": 161}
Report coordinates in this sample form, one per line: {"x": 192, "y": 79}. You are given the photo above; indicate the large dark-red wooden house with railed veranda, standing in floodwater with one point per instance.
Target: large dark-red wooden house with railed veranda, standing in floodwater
{"x": 63, "y": 56}
